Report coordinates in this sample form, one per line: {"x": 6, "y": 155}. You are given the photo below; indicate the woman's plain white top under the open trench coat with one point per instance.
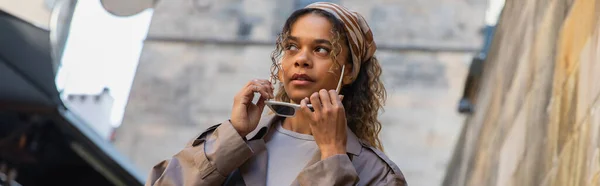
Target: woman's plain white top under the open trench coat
{"x": 288, "y": 153}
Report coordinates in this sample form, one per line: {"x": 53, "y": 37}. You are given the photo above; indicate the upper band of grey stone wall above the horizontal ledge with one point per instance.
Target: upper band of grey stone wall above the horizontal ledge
{"x": 429, "y": 22}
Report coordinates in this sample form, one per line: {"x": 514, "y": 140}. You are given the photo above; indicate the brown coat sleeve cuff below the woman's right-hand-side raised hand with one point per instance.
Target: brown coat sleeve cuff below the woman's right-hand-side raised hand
{"x": 335, "y": 170}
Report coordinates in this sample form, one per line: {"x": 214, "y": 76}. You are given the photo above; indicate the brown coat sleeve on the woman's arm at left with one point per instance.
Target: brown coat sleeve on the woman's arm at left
{"x": 206, "y": 160}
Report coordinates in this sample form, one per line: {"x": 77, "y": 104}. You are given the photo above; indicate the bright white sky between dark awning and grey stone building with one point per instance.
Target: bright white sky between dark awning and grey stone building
{"x": 102, "y": 51}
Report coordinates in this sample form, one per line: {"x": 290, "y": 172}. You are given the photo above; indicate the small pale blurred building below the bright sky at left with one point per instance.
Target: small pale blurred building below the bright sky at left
{"x": 94, "y": 109}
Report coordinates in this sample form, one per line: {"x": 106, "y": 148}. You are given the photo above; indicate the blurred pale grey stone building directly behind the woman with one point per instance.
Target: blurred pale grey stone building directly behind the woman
{"x": 198, "y": 53}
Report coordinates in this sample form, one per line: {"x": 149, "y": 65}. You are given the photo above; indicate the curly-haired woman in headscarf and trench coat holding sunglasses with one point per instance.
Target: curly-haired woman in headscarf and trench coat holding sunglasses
{"x": 333, "y": 142}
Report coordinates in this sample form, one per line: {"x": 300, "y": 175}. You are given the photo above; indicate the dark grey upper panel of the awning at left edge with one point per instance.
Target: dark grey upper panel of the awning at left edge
{"x": 26, "y": 71}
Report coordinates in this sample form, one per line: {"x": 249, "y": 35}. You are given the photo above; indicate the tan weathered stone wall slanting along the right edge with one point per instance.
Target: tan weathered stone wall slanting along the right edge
{"x": 535, "y": 119}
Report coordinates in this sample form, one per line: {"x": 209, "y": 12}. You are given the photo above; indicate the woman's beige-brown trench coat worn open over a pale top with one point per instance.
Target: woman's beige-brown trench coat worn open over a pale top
{"x": 220, "y": 156}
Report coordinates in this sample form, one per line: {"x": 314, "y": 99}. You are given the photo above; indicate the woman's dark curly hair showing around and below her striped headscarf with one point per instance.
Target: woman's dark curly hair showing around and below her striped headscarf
{"x": 363, "y": 98}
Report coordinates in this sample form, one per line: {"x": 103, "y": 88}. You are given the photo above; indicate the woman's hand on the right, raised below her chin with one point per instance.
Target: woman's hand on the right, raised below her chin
{"x": 327, "y": 122}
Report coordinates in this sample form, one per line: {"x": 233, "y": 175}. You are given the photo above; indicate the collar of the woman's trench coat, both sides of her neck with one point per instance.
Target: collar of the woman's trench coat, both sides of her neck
{"x": 353, "y": 145}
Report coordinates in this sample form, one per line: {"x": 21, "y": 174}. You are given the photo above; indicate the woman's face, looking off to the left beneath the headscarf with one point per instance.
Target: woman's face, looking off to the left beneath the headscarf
{"x": 306, "y": 63}
